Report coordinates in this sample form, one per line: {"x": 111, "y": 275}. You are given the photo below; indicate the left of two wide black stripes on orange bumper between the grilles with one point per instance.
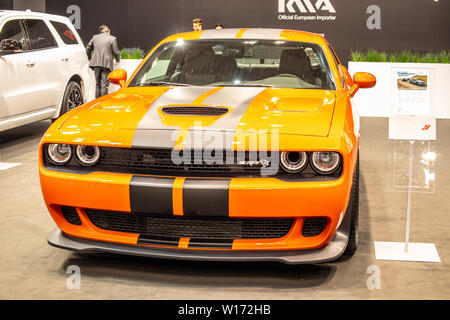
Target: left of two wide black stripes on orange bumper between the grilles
{"x": 153, "y": 195}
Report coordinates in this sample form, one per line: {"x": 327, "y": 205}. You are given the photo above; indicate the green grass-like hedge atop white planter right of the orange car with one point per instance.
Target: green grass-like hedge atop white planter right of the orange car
{"x": 404, "y": 56}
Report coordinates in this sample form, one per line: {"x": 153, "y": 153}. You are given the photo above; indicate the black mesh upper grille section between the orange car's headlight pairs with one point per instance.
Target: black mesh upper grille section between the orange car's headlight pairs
{"x": 159, "y": 162}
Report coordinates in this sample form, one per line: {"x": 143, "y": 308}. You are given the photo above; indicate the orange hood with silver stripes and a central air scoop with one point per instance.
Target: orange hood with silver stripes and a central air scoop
{"x": 290, "y": 111}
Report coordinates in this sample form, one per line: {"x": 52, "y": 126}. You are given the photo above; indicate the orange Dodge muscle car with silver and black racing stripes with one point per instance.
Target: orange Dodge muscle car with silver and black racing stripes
{"x": 232, "y": 144}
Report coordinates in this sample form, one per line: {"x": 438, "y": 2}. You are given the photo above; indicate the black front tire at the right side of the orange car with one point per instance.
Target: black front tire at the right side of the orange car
{"x": 352, "y": 244}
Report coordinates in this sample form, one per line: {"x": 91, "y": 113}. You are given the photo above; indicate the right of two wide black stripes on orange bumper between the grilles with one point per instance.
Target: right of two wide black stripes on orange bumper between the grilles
{"x": 206, "y": 197}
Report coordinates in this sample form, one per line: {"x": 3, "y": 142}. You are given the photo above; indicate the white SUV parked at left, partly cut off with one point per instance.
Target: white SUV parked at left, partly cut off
{"x": 44, "y": 69}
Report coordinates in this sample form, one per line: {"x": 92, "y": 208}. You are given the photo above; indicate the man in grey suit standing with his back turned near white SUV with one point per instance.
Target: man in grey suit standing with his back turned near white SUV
{"x": 105, "y": 49}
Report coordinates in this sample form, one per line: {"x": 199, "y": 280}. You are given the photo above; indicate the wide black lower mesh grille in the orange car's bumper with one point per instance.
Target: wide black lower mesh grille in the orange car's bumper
{"x": 191, "y": 227}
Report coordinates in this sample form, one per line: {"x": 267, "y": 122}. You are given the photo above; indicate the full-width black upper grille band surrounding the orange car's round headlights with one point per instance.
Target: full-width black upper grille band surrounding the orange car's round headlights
{"x": 191, "y": 163}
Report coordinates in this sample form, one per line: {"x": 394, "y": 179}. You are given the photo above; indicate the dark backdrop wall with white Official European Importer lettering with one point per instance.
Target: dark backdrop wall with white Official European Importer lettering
{"x": 349, "y": 25}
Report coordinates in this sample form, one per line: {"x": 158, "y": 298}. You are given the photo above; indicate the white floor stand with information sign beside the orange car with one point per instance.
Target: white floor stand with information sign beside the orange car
{"x": 412, "y": 118}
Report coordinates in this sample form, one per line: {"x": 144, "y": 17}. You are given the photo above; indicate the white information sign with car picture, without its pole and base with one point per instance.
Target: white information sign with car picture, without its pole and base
{"x": 412, "y": 116}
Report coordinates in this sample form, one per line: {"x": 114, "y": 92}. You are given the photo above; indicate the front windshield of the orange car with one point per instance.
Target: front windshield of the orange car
{"x": 237, "y": 62}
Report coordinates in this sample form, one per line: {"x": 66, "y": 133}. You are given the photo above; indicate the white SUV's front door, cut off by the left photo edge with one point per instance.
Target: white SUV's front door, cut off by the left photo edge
{"x": 16, "y": 98}
